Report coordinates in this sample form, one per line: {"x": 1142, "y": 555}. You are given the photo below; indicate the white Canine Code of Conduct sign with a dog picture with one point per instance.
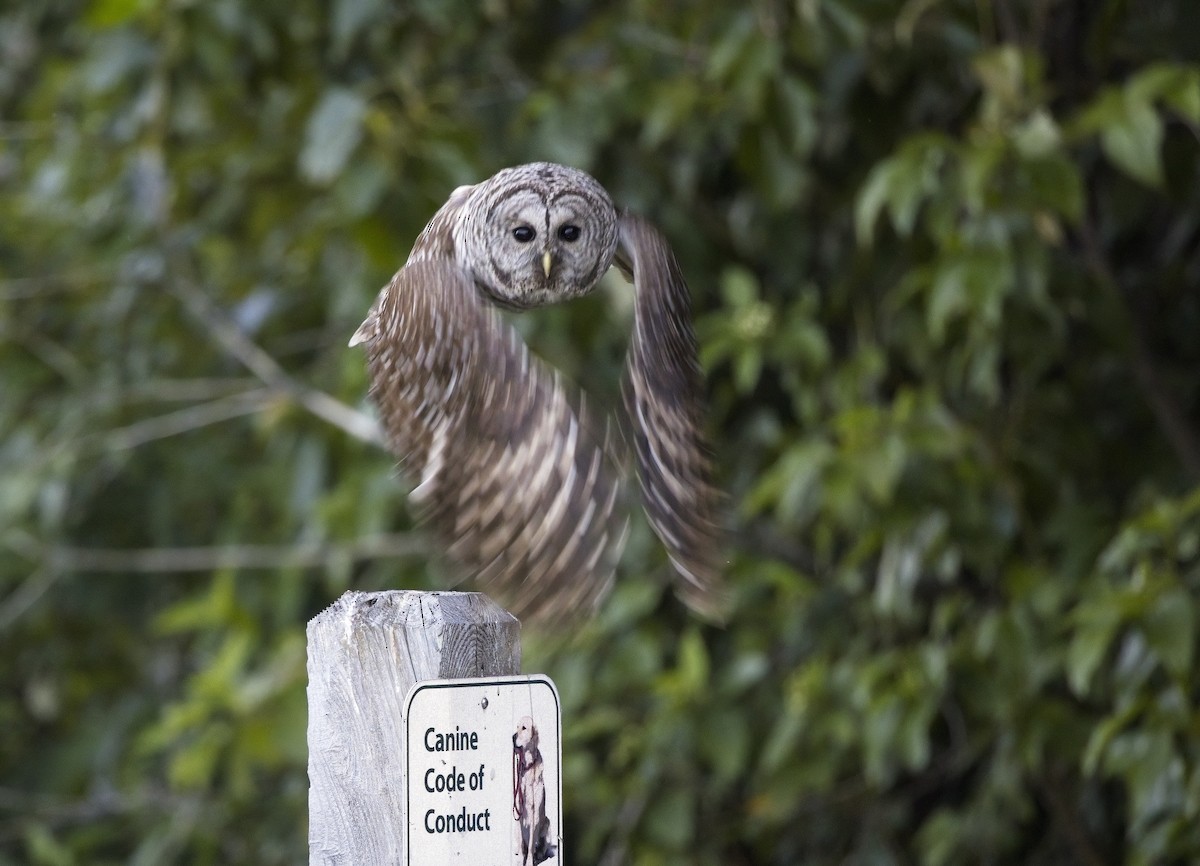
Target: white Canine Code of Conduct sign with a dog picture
{"x": 484, "y": 761}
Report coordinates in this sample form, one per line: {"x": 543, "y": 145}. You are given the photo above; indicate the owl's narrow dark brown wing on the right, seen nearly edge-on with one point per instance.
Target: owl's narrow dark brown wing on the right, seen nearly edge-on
{"x": 664, "y": 399}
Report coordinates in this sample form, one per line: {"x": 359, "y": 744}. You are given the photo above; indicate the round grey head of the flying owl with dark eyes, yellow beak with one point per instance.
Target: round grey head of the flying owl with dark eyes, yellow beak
{"x": 537, "y": 234}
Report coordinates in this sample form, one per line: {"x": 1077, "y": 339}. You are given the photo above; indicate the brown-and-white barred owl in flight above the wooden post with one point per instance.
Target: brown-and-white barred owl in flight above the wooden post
{"x": 520, "y": 480}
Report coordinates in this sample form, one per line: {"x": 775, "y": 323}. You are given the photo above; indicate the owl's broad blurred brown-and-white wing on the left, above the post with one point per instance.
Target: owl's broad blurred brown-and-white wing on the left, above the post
{"x": 509, "y": 476}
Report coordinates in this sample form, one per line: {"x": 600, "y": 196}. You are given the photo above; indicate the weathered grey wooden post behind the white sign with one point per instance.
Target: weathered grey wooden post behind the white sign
{"x": 365, "y": 652}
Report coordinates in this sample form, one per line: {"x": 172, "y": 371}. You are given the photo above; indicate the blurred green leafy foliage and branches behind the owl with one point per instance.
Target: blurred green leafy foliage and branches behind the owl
{"x": 945, "y": 258}
